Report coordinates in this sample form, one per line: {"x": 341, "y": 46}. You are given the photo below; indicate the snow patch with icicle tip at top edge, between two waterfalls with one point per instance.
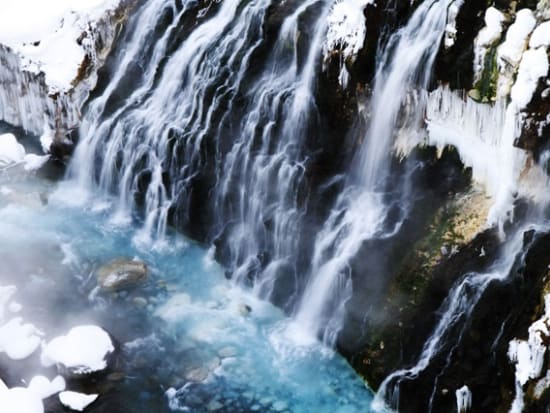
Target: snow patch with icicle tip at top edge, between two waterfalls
{"x": 346, "y": 31}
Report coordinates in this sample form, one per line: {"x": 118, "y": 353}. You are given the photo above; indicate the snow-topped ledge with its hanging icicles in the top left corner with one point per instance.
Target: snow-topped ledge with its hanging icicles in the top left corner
{"x": 49, "y": 56}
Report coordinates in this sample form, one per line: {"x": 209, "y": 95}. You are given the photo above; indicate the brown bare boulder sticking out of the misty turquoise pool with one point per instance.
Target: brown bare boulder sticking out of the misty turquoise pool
{"x": 121, "y": 273}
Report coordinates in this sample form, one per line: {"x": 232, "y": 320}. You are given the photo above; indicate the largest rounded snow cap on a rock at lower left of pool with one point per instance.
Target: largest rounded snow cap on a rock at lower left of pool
{"x": 83, "y": 350}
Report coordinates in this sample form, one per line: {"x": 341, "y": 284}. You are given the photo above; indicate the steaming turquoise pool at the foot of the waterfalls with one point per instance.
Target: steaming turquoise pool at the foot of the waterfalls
{"x": 189, "y": 340}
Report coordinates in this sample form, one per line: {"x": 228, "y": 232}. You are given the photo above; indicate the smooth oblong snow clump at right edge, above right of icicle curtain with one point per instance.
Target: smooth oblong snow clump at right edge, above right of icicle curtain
{"x": 534, "y": 65}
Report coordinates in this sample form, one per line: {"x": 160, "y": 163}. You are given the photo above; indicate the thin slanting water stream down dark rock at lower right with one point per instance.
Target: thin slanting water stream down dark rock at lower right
{"x": 456, "y": 309}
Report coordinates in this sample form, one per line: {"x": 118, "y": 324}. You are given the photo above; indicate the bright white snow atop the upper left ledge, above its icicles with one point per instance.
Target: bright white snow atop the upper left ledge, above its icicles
{"x": 46, "y": 39}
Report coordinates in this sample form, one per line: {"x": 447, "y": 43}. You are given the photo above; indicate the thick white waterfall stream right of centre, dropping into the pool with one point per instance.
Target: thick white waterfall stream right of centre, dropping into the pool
{"x": 406, "y": 63}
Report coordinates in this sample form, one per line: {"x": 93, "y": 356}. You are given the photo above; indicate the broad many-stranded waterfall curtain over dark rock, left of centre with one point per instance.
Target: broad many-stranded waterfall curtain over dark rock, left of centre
{"x": 211, "y": 117}
